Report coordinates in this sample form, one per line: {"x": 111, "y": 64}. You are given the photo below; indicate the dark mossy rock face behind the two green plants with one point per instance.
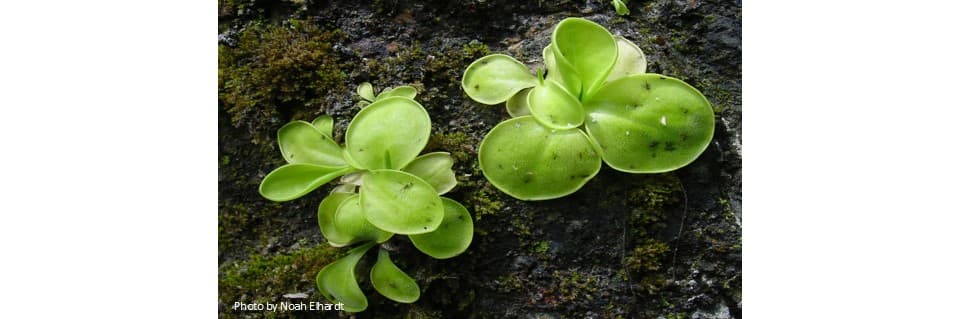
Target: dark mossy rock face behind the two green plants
{"x": 624, "y": 246}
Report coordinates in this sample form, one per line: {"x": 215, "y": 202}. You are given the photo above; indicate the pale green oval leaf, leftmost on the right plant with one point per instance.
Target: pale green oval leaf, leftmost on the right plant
{"x": 495, "y": 78}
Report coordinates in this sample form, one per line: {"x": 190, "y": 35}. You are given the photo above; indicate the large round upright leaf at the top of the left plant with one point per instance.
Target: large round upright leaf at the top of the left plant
{"x": 388, "y": 134}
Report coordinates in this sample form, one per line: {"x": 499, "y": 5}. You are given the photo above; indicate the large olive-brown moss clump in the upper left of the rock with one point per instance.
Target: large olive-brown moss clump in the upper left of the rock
{"x": 275, "y": 69}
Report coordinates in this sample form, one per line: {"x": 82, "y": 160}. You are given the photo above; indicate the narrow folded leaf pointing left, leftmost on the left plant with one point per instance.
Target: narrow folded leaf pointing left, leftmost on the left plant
{"x": 292, "y": 181}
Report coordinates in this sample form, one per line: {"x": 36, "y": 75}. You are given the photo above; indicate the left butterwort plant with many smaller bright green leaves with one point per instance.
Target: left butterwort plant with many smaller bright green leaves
{"x": 386, "y": 187}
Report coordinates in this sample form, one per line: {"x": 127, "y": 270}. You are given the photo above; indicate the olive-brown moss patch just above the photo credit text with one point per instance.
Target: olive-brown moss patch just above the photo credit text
{"x": 268, "y": 278}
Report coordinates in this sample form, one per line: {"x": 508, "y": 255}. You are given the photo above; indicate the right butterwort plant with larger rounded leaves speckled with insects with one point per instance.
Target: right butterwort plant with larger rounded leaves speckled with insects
{"x": 594, "y": 104}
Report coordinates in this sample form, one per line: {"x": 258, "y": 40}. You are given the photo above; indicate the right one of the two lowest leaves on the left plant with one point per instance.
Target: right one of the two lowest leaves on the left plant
{"x": 391, "y": 282}
